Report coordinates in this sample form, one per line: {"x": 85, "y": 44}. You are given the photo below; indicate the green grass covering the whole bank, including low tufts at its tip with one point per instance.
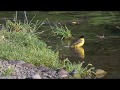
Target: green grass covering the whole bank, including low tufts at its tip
{"x": 23, "y": 43}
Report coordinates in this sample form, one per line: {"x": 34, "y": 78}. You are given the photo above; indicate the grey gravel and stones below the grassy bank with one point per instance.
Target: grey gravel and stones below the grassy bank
{"x": 14, "y": 69}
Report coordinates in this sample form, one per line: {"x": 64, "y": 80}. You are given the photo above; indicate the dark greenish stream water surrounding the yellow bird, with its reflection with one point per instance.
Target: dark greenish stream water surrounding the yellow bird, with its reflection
{"x": 103, "y": 54}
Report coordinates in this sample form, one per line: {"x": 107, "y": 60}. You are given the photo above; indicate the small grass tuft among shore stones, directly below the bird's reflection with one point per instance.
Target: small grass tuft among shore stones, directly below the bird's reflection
{"x": 82, "y": 72}
